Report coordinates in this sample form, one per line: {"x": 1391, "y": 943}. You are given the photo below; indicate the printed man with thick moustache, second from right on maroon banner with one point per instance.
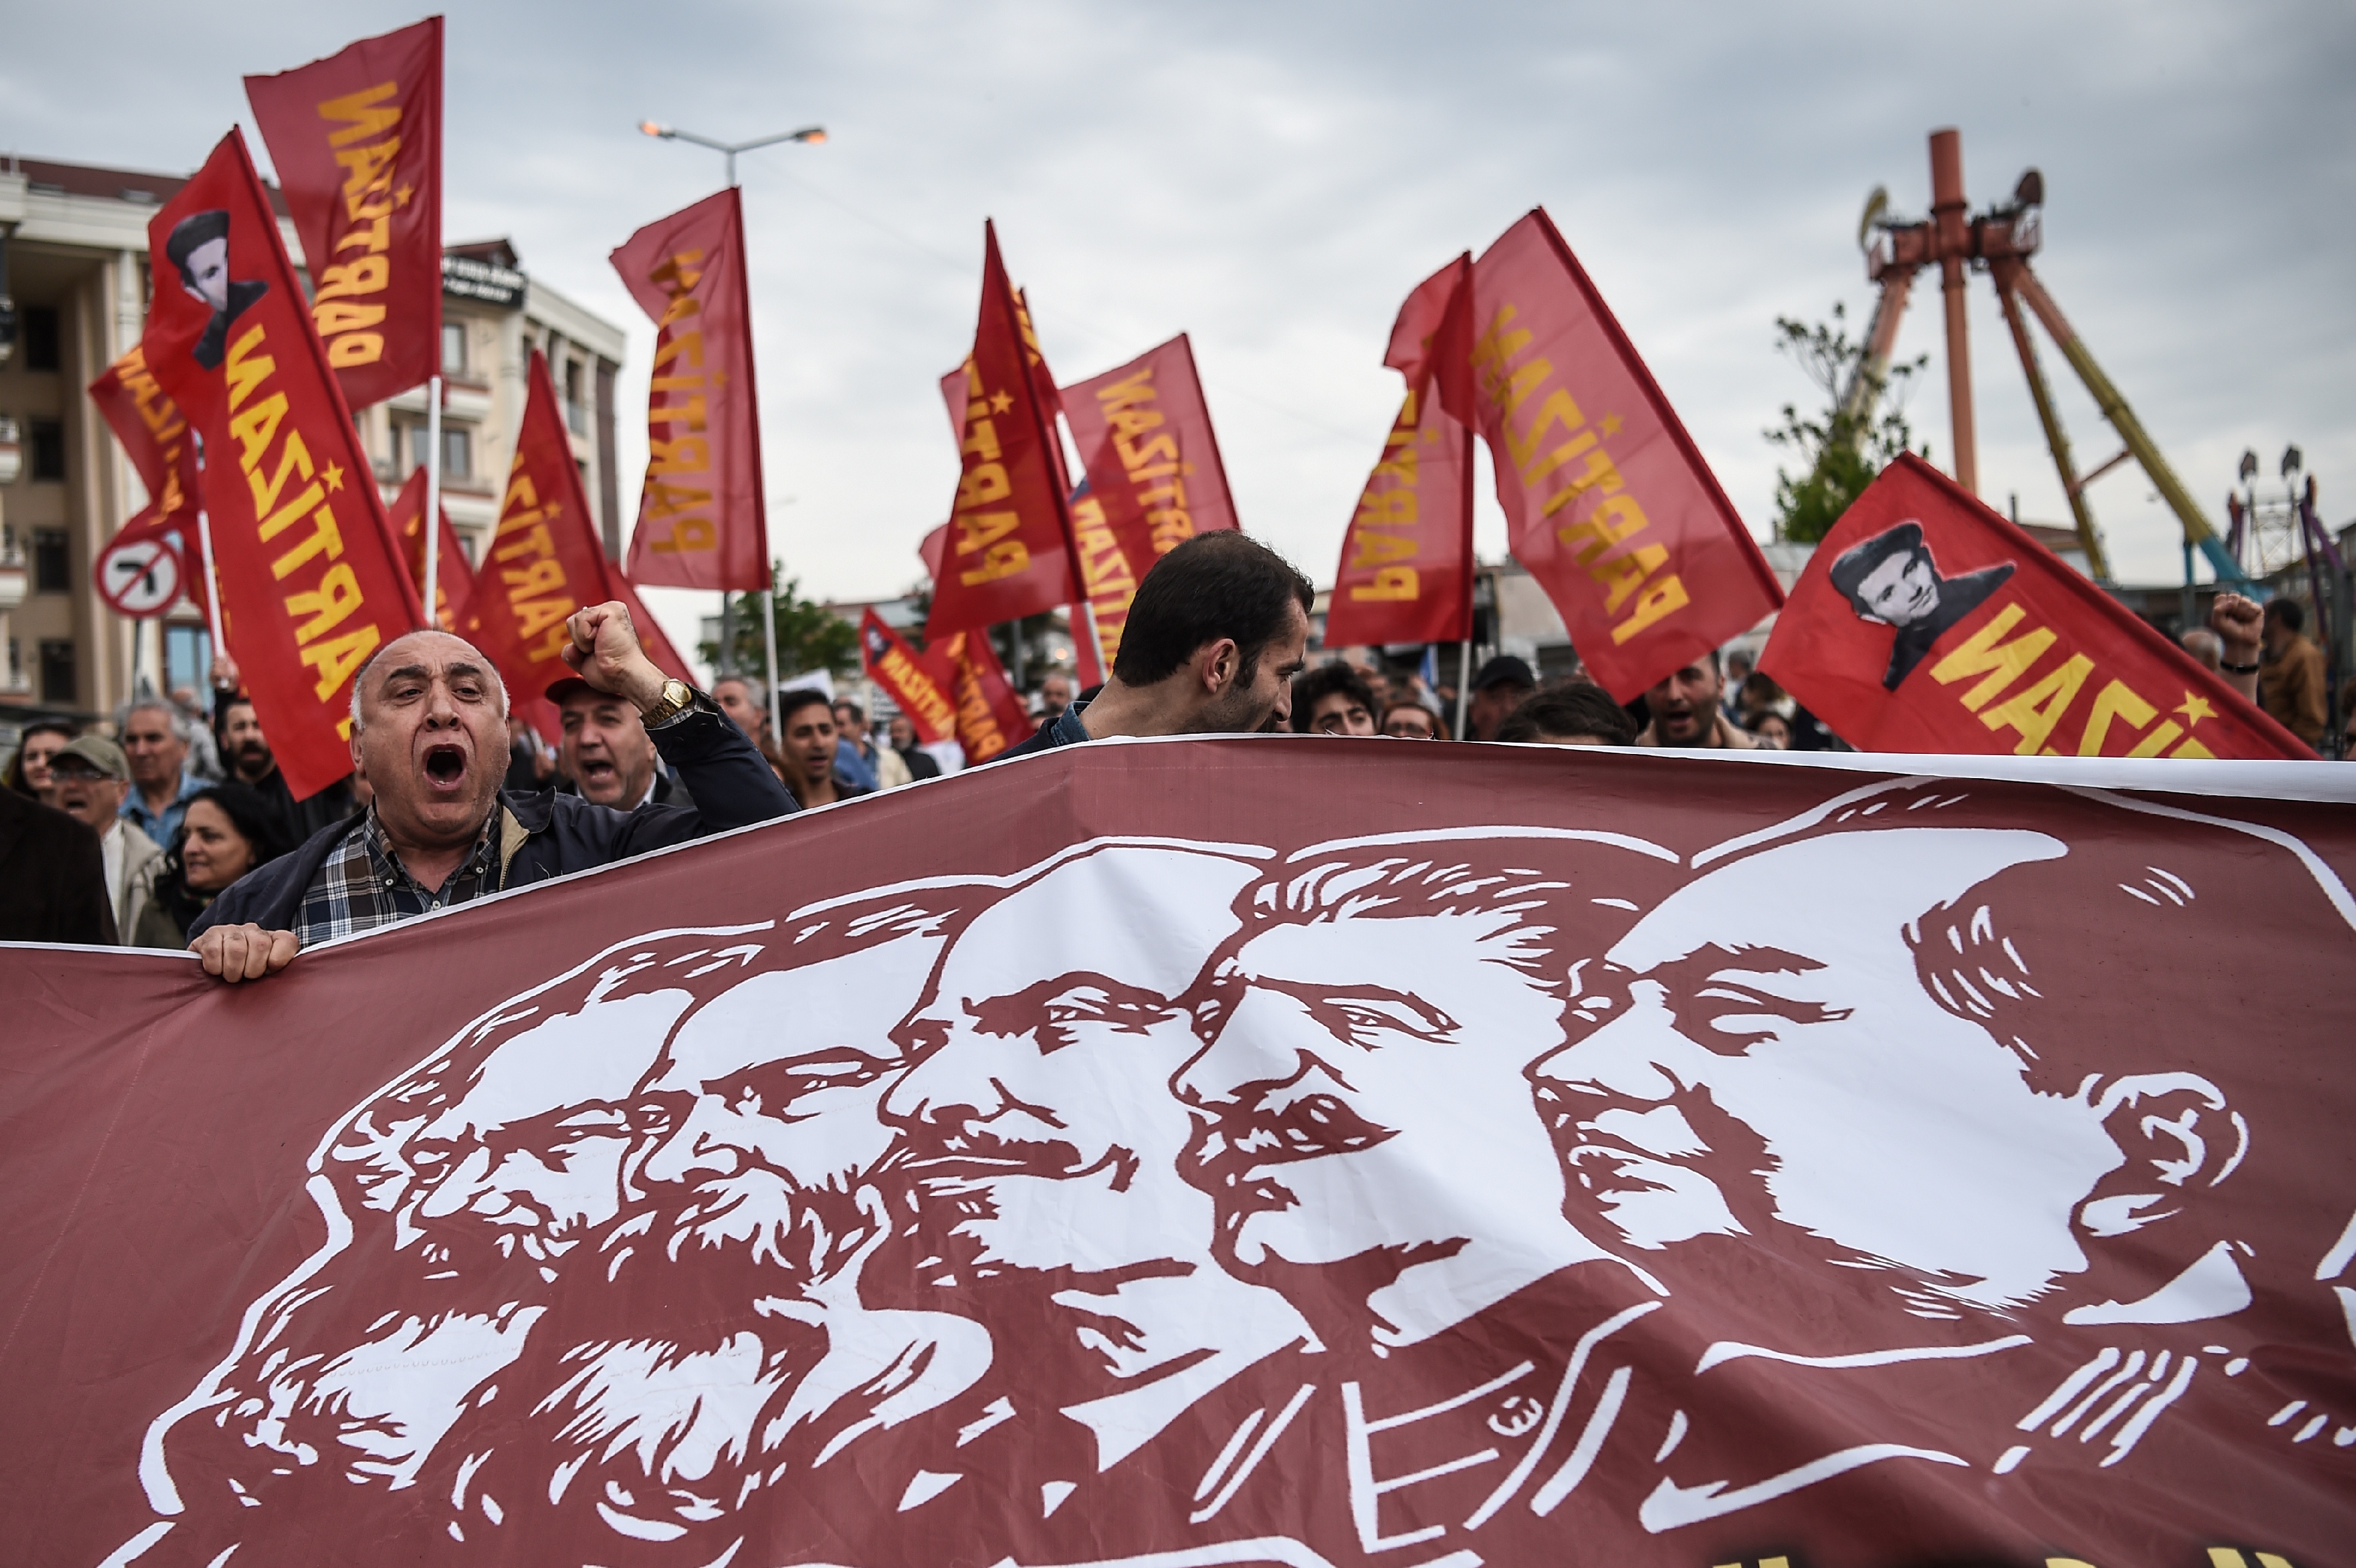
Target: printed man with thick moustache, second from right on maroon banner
{"x": 1377, "y": 1157}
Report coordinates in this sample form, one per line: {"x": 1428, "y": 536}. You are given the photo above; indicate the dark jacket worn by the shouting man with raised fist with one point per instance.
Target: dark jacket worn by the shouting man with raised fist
{"x": 550, "y": 835}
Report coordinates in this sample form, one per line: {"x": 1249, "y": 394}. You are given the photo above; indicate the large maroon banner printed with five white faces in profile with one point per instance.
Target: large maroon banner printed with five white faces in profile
{"x": 1471, "y": 1157}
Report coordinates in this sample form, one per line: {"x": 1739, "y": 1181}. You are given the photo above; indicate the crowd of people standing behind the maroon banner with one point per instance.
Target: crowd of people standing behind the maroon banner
{"x": 180, "y": 835}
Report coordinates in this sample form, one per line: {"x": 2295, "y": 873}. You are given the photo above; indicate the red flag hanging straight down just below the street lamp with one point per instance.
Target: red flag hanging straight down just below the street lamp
{"x": 701, "y": 517}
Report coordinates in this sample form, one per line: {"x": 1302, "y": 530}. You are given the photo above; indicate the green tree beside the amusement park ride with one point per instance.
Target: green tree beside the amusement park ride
{"x": 1844, "y": 449}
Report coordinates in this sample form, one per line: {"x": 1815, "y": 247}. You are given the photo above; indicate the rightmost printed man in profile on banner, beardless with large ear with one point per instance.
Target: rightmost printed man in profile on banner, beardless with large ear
{"x": 1994, "y": 1225}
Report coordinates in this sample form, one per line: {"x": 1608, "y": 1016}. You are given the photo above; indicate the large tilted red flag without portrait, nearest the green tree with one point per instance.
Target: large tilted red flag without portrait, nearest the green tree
{"x": 1608, "y": 500}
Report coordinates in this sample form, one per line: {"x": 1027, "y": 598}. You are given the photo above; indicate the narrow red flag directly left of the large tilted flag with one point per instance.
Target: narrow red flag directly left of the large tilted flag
{"x": 1408, "y": 559}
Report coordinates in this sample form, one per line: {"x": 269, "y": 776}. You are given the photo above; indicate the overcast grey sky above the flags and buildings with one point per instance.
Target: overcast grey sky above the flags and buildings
{"x": 1273, "y": 180}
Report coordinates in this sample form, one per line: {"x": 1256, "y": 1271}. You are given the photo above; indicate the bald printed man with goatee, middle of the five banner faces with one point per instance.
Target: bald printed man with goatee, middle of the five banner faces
{"x": 1050, "y": 1207}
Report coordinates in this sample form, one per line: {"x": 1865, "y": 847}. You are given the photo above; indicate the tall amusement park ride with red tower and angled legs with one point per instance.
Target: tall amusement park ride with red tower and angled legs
{"x": 2001, "y": 244}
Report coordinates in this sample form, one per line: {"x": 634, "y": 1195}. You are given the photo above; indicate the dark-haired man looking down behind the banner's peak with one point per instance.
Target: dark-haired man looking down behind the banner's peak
{"x": 1217, "y": 634}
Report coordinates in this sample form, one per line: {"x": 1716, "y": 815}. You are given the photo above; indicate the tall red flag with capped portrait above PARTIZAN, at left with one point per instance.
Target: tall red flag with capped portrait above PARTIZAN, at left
{"x": 310, "y": 573}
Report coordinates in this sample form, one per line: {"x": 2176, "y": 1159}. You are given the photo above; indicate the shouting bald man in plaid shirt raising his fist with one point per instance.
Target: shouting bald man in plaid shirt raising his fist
{"x": 430, "y": 740}
